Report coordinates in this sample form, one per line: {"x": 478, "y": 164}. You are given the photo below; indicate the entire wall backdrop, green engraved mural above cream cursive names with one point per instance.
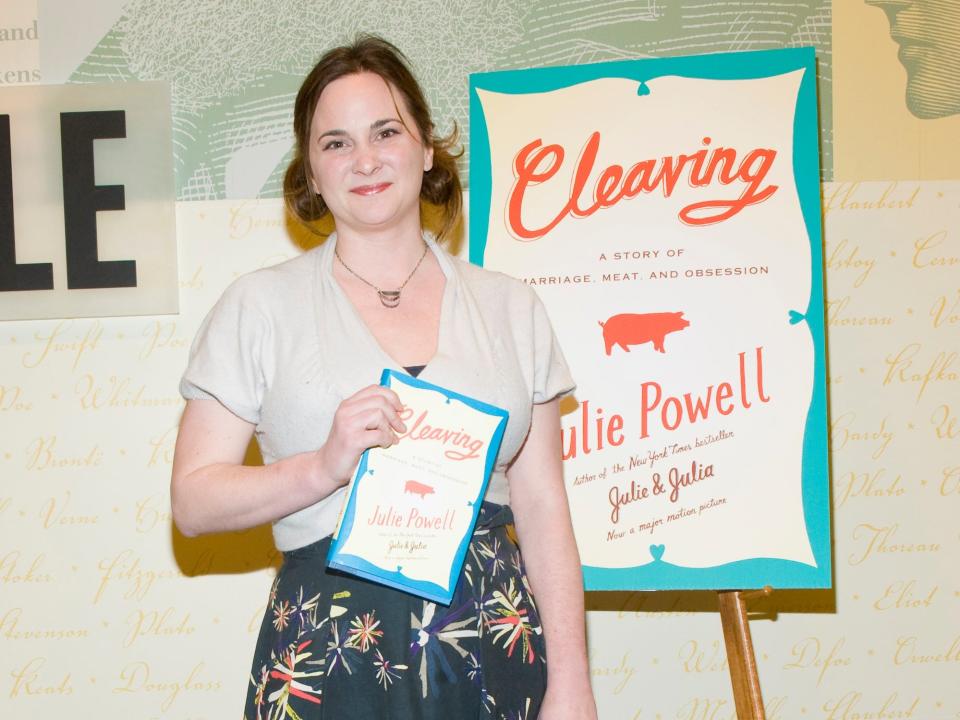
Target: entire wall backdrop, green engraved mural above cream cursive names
{"x": 106, "y": 611}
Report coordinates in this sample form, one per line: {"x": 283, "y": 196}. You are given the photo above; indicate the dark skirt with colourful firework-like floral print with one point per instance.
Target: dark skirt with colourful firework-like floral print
{"x": 335, "y": 646}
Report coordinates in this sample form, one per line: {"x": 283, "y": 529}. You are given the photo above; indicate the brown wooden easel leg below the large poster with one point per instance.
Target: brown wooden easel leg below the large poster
{"x": 740, "y": 656}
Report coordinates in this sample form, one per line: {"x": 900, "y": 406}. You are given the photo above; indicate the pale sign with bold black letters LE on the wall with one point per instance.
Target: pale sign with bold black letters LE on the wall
{"x": 87, "y": 217}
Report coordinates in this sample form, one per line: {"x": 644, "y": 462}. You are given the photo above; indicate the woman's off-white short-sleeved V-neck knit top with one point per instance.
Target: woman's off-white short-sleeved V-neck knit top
{"x": 284, "y": 346}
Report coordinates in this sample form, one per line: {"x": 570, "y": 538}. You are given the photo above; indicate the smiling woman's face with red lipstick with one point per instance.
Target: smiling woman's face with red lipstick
{"x": 366, "y": 154}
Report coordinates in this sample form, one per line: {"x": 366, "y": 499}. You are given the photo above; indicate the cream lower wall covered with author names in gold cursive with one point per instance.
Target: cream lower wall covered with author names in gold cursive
{"x": 106, "y": 612}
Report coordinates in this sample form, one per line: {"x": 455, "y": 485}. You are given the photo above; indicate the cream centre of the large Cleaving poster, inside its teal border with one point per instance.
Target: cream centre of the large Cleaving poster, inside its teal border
{"x": 606, "y": 252}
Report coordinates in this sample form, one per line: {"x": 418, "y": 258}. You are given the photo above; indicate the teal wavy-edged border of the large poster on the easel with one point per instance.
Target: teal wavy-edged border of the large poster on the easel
{"x": 756, "y": 572}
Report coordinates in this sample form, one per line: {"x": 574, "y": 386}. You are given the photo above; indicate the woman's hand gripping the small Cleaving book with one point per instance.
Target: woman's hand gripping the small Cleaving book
{"x": 368, "y": 418}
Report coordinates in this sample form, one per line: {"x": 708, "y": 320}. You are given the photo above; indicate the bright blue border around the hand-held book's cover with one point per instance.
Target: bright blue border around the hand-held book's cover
{"x": 356, "y": 565}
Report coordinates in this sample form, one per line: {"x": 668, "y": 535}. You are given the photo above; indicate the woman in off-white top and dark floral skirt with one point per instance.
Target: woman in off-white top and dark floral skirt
{"x": 289, "y": 352}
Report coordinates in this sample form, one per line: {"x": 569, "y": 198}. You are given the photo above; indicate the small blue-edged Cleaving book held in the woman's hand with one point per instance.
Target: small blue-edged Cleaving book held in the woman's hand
{"x": 411, "y": 509}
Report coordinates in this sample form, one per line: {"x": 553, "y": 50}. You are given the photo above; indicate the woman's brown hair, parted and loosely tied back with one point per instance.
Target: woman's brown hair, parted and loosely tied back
{"x": 368, "y": 53}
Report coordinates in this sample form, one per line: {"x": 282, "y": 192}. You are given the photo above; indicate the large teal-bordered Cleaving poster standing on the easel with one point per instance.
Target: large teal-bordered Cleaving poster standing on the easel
{"x": 667, "y": 211}
